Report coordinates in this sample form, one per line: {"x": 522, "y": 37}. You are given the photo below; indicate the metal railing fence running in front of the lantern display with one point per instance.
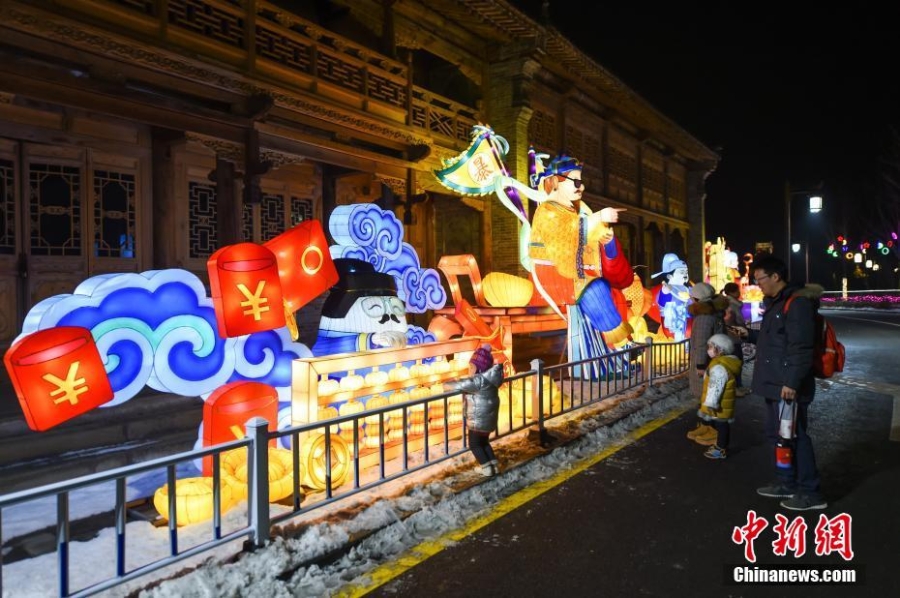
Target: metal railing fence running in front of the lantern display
{"x": 528, "y": 401}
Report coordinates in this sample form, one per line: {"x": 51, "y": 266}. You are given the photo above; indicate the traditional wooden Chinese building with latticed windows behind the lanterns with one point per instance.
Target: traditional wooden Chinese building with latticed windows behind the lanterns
{"x": 145, "y": 134}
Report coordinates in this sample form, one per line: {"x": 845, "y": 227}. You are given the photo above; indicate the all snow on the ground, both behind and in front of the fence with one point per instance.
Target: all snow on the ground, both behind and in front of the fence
{"x": 391, "y": 519}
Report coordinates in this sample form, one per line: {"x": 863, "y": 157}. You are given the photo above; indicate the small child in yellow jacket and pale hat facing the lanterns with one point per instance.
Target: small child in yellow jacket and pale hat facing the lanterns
{"x": 717, "y": 399}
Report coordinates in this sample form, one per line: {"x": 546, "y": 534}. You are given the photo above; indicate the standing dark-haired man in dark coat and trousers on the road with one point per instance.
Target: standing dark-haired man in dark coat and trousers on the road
{"x": 783, "y": 370}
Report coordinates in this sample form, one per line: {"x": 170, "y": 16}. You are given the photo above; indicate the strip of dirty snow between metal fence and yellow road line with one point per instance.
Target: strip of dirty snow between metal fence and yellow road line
{"x": 282, "y": 569}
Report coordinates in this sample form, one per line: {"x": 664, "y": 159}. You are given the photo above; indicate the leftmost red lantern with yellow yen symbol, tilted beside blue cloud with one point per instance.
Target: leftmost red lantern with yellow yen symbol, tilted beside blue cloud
{"x": 57, "y": 374}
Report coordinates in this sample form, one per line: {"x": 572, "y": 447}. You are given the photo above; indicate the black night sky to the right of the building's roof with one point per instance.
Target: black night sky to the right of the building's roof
{"x": 787, "y": 92}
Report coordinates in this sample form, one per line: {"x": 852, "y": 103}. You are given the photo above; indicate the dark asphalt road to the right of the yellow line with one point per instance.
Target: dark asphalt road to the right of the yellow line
{"x": 656, "y": 518}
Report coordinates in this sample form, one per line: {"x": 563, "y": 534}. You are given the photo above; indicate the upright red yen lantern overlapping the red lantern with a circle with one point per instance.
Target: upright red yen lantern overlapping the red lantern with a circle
{"x": 246, "y": 292}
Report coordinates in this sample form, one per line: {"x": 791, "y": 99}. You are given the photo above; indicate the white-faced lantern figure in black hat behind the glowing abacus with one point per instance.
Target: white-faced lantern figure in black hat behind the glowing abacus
{"x": 362, "y": 311}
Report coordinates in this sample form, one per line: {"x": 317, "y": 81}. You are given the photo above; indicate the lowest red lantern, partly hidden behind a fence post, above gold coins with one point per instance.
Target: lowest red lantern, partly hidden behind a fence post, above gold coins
{"x": 229, "y": 407}
